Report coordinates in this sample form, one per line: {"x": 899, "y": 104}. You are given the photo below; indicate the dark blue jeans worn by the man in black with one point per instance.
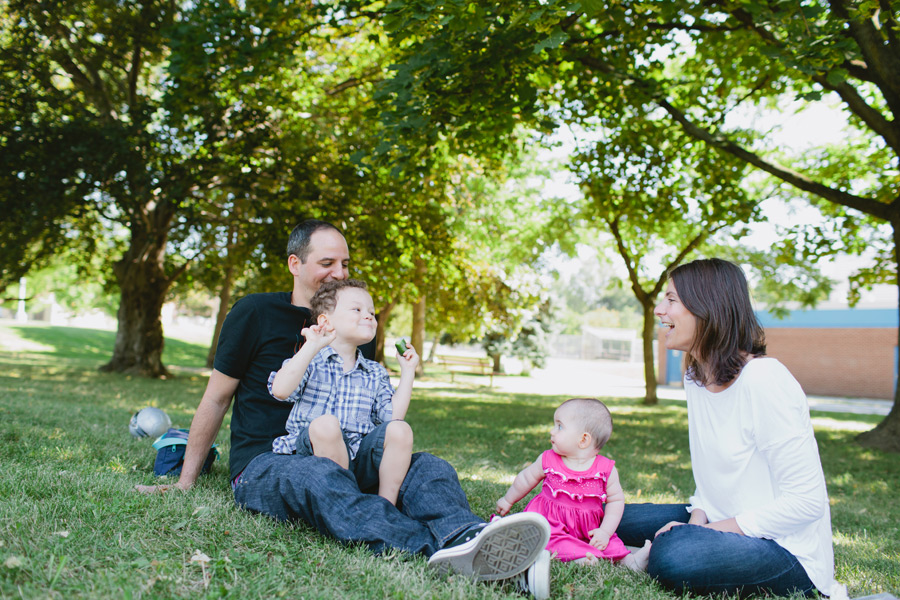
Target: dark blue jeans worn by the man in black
{"x": 431, "y": 508}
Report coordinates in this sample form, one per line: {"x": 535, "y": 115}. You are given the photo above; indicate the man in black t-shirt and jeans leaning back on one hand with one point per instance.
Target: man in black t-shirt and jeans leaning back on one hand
{"x": 432, "y": 516}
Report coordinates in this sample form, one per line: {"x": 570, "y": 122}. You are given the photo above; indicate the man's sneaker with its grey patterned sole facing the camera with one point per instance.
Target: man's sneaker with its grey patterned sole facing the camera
{"x": 504, "y": 548}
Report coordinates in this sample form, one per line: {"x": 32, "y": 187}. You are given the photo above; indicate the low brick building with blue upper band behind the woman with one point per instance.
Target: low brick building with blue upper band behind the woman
{"x": 842, "y": 352}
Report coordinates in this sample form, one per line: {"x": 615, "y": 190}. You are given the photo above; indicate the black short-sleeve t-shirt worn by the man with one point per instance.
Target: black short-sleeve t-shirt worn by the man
{"x": 260, "y": 331}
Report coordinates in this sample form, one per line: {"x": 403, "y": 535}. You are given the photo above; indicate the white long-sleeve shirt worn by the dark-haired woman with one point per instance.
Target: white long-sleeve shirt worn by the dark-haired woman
{"x": 755, "y": 458}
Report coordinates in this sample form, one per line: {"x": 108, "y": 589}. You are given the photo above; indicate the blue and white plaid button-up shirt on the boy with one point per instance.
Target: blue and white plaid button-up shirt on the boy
{"x": 360, "y": 398}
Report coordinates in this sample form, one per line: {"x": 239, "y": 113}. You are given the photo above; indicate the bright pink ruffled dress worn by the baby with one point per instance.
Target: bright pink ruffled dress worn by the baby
{"x": 572, "y": 501}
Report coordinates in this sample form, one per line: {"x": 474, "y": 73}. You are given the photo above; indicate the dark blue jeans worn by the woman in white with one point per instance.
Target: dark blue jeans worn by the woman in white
{"x": 703, "y": 561}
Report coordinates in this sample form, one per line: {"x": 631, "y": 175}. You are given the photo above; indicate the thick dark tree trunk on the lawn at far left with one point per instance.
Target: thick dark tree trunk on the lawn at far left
{"x": 143, "y": 284}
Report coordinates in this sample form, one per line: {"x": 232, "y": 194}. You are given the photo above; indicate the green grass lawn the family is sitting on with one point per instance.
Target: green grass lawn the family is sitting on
{"x": 71, "y": 526}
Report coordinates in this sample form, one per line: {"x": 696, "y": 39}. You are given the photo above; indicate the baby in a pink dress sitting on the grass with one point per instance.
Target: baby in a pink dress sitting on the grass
{"x": 581, "y": 496}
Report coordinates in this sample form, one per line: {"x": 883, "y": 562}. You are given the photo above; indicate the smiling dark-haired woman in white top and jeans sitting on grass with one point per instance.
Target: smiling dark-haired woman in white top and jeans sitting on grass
{"x": 759, "y": 520}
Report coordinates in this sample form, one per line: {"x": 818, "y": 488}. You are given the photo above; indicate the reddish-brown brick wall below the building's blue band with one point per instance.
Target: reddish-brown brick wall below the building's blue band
{"x": 838, "y": 362}
